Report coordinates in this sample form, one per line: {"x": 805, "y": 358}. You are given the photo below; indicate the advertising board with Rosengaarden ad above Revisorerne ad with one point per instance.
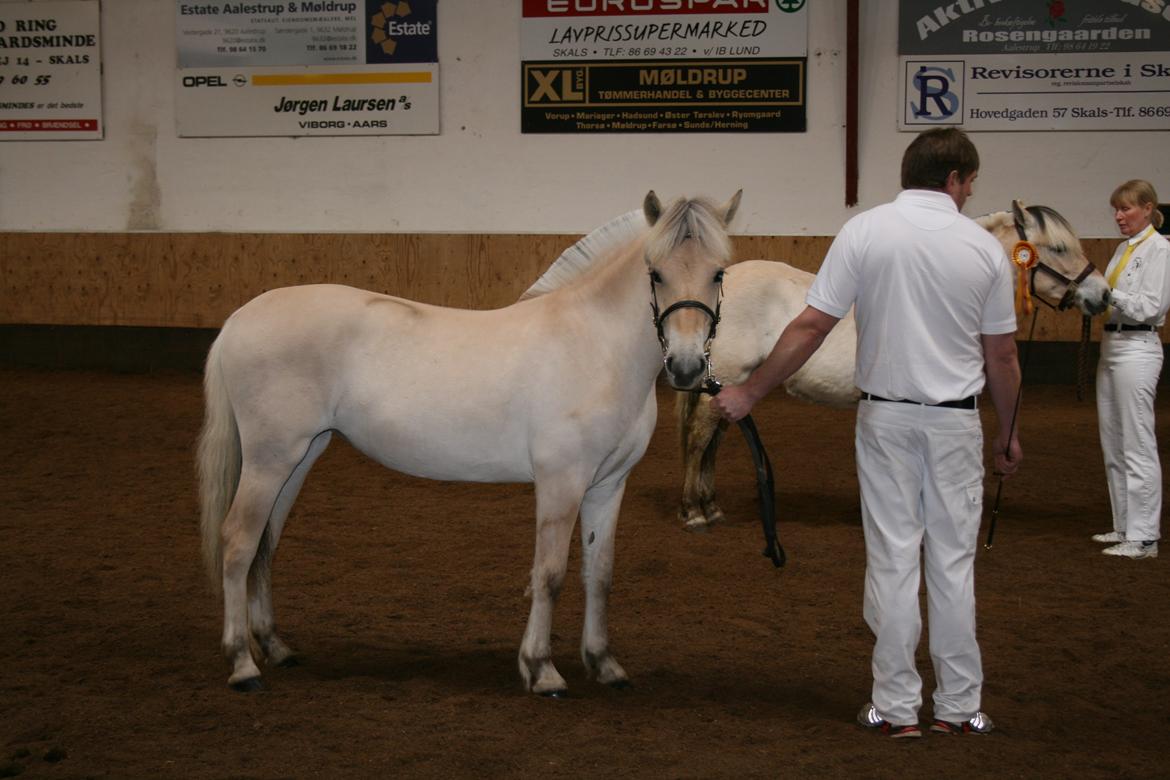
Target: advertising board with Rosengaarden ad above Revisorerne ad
{"x": 1035, "y": 65}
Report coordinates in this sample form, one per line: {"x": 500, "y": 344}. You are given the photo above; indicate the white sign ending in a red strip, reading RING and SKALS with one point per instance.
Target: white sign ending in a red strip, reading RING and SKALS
{"x": 51, "y": 71}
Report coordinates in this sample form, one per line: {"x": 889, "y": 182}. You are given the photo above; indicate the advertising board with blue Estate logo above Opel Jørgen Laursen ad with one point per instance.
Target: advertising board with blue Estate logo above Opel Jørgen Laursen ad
{"x": 307, "y": 68}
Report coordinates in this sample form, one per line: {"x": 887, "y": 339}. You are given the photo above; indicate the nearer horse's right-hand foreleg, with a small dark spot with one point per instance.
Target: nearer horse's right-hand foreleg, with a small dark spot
{"x": 600, "y": 522}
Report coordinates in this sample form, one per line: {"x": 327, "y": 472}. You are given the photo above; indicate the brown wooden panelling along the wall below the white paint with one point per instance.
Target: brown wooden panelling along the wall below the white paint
{"x": 182, "y": 280}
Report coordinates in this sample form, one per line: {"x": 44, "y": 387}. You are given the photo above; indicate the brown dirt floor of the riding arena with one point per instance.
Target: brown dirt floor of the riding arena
{"x": 407, "y": 599}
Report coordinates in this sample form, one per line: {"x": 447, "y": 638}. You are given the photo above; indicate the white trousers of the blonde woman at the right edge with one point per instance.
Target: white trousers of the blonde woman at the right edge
{"x": 1126, "y": 385}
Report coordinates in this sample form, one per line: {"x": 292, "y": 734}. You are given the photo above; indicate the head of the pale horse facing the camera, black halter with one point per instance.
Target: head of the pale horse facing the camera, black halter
{"x": 686, "y": 253}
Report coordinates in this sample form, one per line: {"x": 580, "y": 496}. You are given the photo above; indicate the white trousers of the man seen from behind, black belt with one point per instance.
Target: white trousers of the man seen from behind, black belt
{"x": 921, "y": 477}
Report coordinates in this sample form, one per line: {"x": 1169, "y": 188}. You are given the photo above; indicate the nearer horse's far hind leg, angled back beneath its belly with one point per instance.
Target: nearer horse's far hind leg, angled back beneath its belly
{"x": 261, "y": 617}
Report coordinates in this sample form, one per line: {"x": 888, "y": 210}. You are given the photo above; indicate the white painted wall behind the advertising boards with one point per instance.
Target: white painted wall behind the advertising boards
{"x": 483, "y": 176}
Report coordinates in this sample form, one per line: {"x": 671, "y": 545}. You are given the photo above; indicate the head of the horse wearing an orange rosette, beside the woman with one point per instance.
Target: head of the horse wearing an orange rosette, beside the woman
{"x": 1062, "y": 275}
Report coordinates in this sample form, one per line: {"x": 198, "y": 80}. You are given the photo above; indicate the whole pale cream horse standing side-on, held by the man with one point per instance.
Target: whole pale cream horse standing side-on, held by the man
{"x": 558, "y": 390}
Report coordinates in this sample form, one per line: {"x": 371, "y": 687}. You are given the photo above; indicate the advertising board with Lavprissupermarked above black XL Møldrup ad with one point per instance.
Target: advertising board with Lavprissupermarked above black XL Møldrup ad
{"x": 664, "y": 66}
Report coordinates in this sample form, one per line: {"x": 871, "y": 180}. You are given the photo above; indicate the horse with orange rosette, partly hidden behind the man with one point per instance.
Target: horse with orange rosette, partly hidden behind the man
{"x": 761, "y": 298}
